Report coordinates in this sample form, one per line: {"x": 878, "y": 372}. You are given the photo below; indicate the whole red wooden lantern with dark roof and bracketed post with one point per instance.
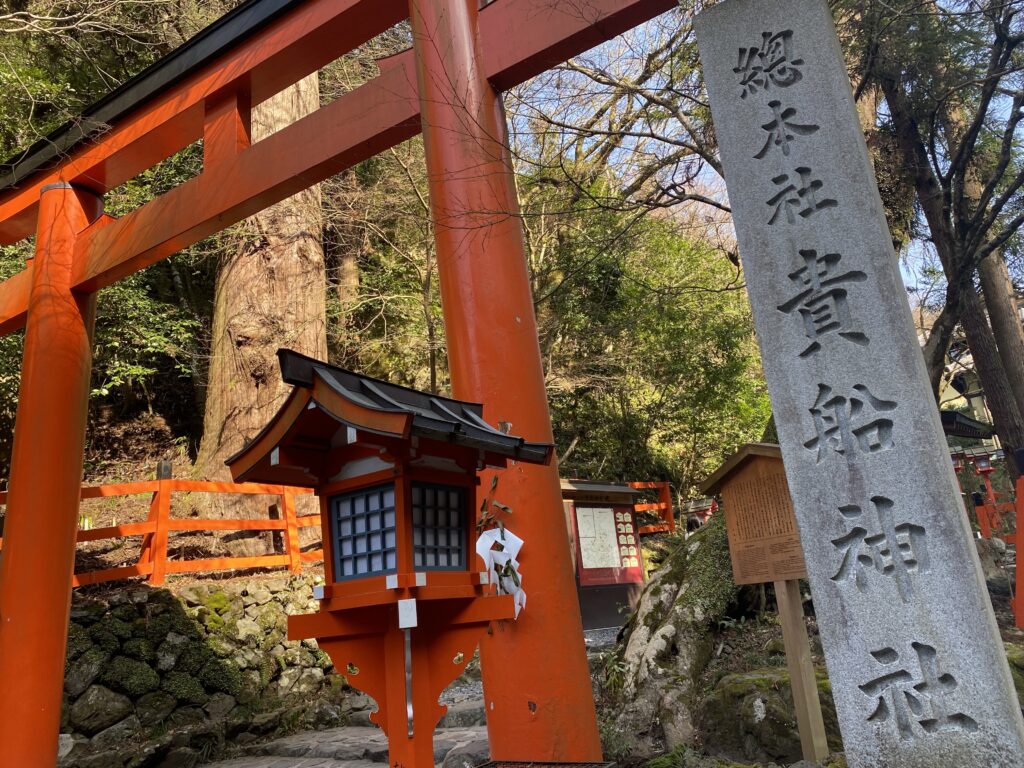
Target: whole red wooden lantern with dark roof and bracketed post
{"x": 396, "y": 470}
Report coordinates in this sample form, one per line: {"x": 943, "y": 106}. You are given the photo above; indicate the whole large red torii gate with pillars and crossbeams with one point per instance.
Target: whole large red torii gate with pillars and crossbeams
{"x": 536, "y": 679}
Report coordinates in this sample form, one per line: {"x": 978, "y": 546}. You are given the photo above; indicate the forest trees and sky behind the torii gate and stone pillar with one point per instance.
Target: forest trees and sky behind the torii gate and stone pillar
{"x": 650, "y": 354}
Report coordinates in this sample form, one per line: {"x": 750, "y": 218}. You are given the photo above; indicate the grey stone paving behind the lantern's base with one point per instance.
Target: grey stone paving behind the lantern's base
{"x": 352, "y": 747}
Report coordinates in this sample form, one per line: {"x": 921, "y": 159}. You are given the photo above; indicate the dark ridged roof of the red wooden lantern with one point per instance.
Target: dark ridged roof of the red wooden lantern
{"x": 434, "y": 417}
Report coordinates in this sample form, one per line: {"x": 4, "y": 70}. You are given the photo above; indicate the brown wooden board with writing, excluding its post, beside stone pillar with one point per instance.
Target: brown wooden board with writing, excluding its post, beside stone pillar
{"x": 764, "y": 543}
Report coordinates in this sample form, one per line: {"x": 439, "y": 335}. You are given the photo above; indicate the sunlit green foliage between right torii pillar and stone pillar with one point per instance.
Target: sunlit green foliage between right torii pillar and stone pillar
{"x": 653, "y": 362}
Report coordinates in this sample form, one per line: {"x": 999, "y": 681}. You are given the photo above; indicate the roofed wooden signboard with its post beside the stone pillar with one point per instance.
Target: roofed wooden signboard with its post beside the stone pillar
{"x": 764, "y": 546}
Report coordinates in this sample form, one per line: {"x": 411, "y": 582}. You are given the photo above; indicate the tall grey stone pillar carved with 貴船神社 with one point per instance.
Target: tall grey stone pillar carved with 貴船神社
{"x": 917, "y": 665}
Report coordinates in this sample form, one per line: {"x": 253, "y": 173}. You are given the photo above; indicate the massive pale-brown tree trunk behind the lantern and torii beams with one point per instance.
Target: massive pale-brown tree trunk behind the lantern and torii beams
{"x": 271, "y": 294}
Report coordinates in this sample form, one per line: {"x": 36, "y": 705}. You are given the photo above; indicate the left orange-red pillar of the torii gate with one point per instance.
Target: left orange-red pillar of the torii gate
{"x": 38, "y": 559}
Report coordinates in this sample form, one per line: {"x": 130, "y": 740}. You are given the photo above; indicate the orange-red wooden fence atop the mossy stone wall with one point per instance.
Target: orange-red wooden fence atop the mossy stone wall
{"x": 154, "y": 563}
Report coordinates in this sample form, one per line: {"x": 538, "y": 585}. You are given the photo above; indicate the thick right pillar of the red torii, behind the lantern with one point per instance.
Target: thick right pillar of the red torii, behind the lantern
{"x": 538, "y": 695}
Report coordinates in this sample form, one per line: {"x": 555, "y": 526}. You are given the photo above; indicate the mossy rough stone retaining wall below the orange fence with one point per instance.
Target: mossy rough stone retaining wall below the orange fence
{"x": 156, "y": 677}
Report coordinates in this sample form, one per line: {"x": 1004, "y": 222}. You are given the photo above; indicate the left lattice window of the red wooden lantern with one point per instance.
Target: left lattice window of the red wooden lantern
{"x": 364, "y": 524}
